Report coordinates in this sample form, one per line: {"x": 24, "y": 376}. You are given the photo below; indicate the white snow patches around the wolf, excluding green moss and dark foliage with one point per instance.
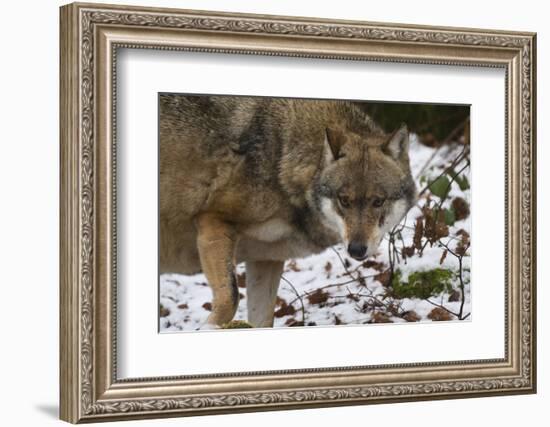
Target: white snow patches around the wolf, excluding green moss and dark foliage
{"x": 331, "y": 288}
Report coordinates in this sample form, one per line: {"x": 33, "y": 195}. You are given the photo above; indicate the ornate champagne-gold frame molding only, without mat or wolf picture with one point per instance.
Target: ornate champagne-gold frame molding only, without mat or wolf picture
{"x": 90, "y": 35}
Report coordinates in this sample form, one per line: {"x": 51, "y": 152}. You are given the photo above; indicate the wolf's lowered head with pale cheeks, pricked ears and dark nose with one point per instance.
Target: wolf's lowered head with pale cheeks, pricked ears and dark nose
{"x": 366, "y": 186}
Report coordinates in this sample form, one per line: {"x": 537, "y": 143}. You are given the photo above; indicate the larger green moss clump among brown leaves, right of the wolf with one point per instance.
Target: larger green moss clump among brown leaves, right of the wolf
{"x": 422, "y": 284}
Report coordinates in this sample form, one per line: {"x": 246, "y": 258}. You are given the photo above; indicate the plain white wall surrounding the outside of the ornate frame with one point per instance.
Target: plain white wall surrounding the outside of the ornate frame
{"x": 29, "y": 170}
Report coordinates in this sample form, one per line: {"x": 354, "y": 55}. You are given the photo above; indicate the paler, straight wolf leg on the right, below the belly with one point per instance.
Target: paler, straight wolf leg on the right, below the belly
{"x": 262, "y": 282}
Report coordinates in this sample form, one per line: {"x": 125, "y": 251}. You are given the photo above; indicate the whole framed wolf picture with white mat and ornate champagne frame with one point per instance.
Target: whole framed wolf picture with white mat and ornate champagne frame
{"x": 265, "y": 212}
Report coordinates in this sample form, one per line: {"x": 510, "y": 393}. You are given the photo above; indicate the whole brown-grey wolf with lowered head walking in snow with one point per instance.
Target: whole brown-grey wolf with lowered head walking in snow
{"x": 262, "y": 180}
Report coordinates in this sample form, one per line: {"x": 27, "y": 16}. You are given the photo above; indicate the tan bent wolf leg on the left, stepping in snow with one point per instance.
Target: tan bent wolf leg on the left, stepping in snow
{"x": 216, "y": 244}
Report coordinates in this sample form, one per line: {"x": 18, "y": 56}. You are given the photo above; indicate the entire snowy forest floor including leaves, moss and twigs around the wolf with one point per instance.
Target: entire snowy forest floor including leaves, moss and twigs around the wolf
{"x": 418, "y": 274}
